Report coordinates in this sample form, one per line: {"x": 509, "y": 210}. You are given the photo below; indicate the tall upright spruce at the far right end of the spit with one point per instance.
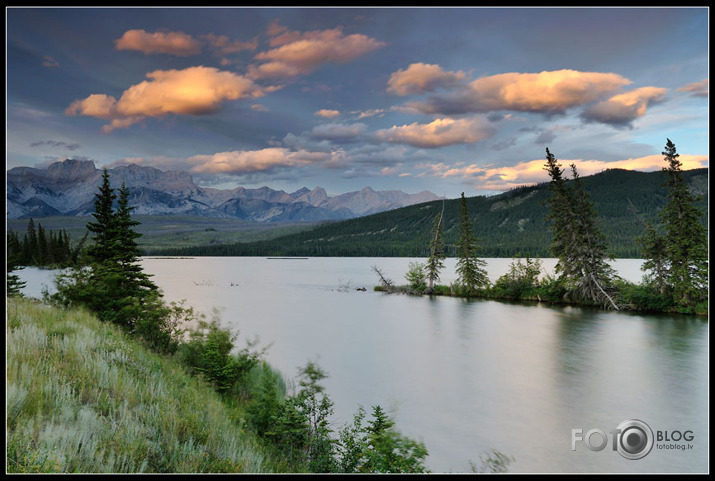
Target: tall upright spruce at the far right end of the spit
{"x": 685, "y": 236}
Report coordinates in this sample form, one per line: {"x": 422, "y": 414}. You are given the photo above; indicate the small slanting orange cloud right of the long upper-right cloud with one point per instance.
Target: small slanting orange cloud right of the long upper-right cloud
{"x": 621, "y": 110}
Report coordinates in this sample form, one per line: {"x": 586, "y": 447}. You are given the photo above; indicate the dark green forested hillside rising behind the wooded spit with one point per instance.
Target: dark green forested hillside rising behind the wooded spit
{"x": 508, "y": 224}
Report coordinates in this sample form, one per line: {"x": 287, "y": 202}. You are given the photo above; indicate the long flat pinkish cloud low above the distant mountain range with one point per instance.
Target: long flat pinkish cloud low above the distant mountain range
{"x": 251, "y": 161}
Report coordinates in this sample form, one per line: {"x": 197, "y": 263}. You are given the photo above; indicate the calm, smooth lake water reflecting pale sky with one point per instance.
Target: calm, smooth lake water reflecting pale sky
{"x": 465, "y": 377}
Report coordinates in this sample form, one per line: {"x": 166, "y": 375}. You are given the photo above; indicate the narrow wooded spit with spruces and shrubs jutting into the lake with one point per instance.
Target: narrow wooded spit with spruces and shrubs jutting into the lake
{"x": 675, "y": 252}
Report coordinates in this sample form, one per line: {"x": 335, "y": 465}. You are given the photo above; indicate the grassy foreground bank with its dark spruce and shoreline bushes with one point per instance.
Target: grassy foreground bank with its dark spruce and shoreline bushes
{"x": 109, "y": 378}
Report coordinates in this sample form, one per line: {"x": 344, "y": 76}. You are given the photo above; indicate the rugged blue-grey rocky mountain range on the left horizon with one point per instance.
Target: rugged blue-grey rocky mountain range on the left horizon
{"x": 67, "y": 188}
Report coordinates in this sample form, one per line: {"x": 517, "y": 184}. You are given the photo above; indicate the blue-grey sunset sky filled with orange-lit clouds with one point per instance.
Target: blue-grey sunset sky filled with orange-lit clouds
{"x": 448, "y": 100}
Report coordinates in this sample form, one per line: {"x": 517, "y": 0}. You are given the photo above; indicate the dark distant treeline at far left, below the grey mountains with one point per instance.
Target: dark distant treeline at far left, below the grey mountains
{"x": 42, "y": 248}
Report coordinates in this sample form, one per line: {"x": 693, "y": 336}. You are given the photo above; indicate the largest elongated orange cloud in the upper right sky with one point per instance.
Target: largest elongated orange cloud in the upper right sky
{"x": 544, "y": 92}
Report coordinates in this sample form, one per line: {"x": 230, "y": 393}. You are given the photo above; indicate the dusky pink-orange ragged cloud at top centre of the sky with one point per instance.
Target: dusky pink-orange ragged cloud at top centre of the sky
{"x": 297, "y": 53}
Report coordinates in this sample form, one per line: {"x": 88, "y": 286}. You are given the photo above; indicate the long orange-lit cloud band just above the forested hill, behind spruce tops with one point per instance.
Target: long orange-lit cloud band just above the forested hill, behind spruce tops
{"x": 532, "y": 172}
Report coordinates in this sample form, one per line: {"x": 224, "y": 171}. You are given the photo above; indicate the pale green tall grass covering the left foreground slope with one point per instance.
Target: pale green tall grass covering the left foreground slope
{"x": 82, "y": 397}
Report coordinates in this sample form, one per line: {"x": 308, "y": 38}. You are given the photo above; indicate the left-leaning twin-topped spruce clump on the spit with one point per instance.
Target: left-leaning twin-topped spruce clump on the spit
{"x": 578, "y": 243}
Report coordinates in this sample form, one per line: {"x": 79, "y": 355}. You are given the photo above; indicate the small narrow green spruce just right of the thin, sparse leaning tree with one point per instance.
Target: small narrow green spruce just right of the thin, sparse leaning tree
{"x": 470, "y": 269}
